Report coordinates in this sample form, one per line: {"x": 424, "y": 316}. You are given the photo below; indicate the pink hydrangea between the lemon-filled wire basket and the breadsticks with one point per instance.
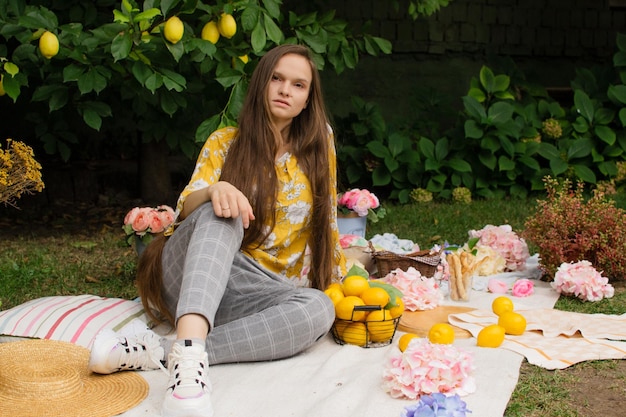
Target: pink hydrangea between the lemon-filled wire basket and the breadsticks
{"x": 419, "y": 292}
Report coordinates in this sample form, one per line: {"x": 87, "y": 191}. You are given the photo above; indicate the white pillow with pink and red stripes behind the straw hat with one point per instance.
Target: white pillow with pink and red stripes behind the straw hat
{"x": 76, "y": 319}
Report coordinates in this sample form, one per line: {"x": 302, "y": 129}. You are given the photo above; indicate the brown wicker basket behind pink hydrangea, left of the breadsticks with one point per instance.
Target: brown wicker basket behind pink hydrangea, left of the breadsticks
{"x": 424, "y": 261}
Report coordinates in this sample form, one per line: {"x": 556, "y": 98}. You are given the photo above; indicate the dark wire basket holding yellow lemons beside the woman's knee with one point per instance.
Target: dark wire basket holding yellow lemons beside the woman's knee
{"x": 363, "y": 334}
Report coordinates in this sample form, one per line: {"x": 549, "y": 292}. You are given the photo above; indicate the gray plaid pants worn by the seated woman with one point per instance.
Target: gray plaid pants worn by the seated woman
{"x": 254, "y": 314}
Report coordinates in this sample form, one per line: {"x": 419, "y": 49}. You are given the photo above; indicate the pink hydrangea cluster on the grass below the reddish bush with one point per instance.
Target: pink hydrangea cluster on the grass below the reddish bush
{"x": 581, "y": 279}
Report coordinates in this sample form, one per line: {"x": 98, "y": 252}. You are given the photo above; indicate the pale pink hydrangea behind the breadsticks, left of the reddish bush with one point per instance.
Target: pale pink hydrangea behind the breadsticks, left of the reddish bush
{"x": 506, "y": 242}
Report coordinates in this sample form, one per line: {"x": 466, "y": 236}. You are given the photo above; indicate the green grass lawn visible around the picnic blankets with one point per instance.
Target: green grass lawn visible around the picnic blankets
{"x": 99, "y": 262}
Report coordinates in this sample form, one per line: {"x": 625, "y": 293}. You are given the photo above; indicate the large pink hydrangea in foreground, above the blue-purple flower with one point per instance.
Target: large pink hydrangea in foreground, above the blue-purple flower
{"x": 425, "y": 368}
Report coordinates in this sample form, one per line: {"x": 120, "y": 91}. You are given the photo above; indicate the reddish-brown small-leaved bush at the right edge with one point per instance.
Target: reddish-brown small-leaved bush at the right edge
{"x": 567, "y": 227}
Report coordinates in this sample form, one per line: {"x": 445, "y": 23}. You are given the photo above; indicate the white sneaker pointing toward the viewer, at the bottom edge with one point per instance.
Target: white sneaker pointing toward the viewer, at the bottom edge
{"x": 189, "y": 389}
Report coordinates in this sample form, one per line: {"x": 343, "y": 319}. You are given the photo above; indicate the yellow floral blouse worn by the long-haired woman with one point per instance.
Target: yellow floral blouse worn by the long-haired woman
{"x": 284, "y": 250}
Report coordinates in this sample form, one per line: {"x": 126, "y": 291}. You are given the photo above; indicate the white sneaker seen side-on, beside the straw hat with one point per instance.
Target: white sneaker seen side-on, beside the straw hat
{"x": 134, "y": 348}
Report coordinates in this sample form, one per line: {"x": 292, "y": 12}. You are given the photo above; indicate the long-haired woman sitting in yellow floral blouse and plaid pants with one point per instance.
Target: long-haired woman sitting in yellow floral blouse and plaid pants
{"x": 225, "y": 277}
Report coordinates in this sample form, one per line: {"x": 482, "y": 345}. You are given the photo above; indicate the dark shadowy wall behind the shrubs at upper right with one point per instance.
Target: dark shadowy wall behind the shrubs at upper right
{"x": 547, "y": 40}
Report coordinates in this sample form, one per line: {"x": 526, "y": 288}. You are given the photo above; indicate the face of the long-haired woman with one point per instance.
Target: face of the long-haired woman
{"x": 288, "y": 90}
